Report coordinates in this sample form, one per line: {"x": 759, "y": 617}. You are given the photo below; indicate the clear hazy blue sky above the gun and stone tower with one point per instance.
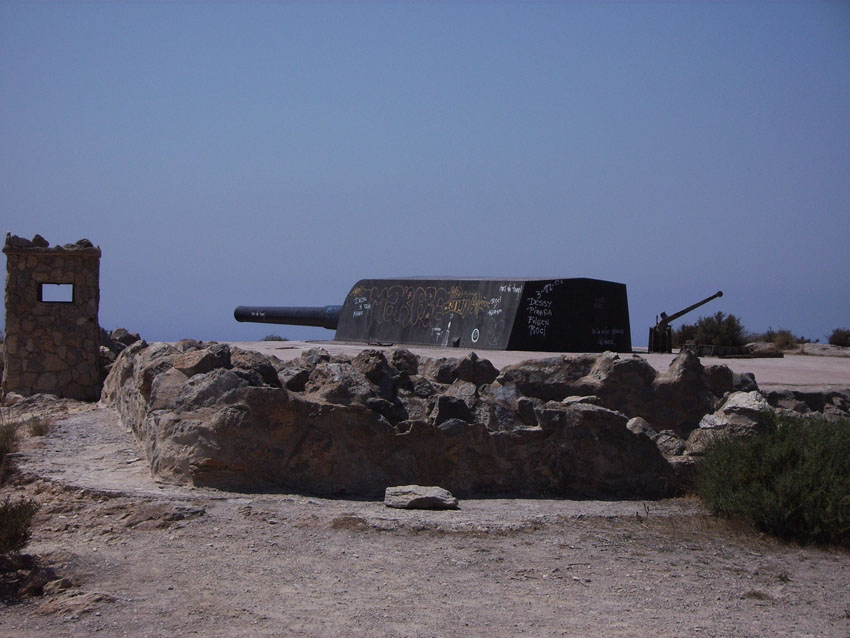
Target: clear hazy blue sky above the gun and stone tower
{"x": 271, "y": 153}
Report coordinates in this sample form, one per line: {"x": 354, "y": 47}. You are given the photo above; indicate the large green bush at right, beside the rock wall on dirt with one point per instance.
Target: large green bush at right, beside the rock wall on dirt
{"x": 792, "y": 482}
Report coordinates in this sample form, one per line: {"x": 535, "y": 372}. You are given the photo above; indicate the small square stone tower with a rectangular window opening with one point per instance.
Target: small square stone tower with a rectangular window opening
{"x": 52, "y": 346}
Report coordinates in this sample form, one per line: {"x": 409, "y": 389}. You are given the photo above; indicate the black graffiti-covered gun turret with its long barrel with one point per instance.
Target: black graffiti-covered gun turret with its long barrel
{"x": 546, "y": 315}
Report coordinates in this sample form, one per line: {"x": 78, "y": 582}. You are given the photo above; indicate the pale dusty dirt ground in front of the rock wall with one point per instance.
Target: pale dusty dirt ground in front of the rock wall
{"x": 139, "y": 558}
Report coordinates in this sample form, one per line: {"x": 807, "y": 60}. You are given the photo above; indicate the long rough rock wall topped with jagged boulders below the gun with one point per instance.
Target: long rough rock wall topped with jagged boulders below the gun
{"x": 576, "y": 426}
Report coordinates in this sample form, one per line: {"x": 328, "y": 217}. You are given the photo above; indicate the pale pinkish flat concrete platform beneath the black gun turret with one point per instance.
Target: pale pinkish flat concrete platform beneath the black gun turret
{"x": 793, "y": 370}
